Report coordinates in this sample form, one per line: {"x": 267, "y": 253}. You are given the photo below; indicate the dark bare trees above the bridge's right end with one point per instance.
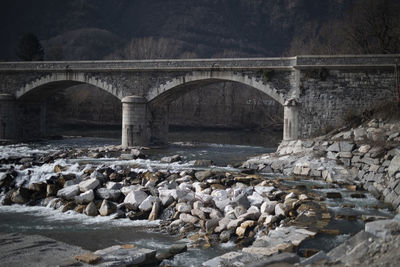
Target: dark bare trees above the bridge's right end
{"x": 371, "y": 27}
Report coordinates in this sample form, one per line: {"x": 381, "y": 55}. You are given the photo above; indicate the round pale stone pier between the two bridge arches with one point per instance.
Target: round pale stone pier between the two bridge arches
{"x": 135, "y": 128}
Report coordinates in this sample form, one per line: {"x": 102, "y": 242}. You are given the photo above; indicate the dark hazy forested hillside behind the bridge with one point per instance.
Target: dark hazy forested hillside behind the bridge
{"x": 208, "y": 27}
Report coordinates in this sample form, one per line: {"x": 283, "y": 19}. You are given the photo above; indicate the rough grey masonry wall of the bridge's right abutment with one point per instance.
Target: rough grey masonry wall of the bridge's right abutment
{"x": 328, "y": 97}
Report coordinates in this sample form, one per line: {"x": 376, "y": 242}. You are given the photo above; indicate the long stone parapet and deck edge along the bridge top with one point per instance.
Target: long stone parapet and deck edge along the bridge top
{"x": 347, "y": 61}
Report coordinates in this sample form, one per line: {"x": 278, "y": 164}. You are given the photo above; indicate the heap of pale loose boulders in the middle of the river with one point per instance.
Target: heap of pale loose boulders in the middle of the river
{"x": 205, "y": 205}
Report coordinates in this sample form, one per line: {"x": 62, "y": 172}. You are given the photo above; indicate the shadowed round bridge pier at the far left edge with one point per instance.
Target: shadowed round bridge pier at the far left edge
{"x": 8, "y": 120}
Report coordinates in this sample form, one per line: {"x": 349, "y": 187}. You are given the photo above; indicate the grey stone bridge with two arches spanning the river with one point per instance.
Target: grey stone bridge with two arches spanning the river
{"x": 317, "y": 92}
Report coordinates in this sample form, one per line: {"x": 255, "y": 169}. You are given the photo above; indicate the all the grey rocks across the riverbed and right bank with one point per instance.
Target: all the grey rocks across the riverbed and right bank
{"x": 271, "y": 209}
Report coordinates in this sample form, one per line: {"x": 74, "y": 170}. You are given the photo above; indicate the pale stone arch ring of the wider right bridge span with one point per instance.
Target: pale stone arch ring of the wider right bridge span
{"x": 182, "y": 84}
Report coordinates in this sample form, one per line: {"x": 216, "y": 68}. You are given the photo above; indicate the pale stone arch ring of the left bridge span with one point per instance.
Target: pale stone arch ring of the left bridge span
{"x": 66, "y": 79}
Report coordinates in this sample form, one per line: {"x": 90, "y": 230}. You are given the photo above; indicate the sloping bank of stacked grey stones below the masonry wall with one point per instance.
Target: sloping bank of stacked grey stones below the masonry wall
{"x": 368, "y": 157}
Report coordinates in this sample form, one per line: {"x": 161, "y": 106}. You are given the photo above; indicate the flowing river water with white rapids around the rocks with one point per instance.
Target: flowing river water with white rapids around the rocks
{"x": 225, "y": 149}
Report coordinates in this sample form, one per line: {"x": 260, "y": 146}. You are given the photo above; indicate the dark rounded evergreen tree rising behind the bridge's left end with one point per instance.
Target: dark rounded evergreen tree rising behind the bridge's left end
{"x": 29, "y": 48}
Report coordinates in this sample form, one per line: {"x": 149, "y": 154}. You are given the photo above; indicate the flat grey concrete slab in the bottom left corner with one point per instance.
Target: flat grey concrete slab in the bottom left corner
{"x": 34, "y": 250}
